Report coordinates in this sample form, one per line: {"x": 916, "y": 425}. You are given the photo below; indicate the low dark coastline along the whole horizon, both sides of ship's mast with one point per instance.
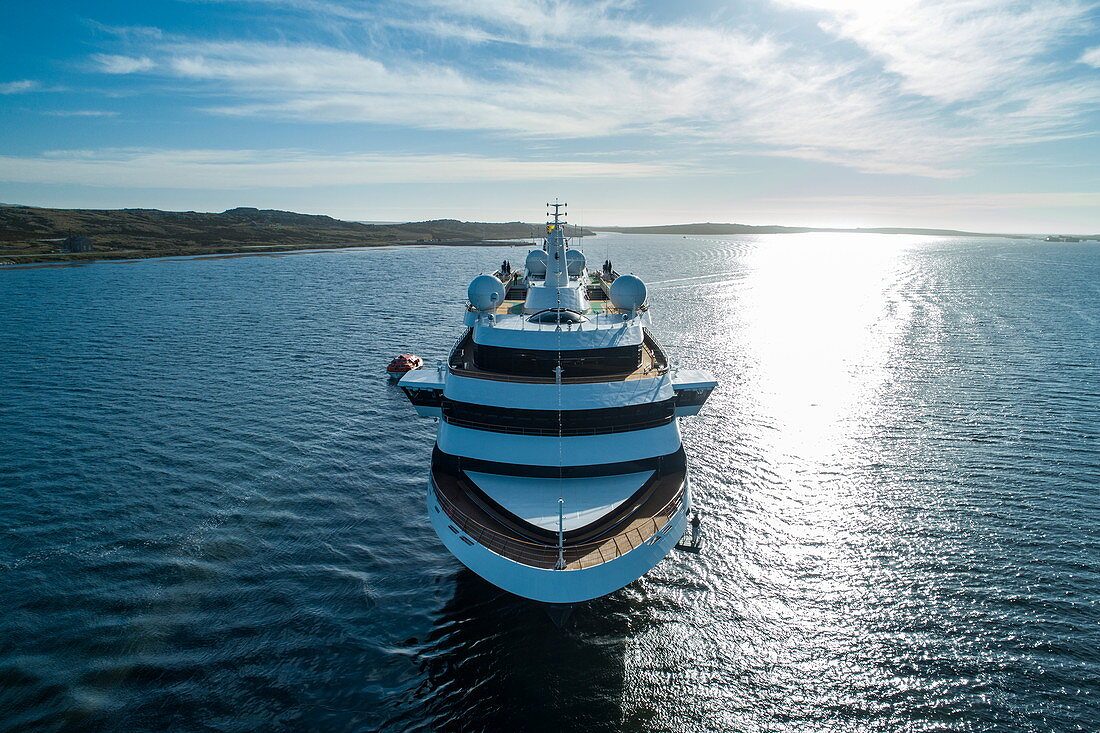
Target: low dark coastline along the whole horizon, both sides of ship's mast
{"x": 45, "y": 236}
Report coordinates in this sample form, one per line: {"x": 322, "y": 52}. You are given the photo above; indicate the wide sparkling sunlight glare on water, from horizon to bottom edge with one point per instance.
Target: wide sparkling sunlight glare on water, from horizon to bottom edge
{"x": 821, "y": 595}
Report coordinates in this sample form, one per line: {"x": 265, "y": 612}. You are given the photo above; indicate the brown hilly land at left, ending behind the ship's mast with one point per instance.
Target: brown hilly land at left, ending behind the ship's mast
{"x": 42, "y": 235}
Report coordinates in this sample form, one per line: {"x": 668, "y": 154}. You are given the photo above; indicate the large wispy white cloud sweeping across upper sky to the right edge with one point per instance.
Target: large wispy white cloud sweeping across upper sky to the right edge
{"x": 916, "y": 87}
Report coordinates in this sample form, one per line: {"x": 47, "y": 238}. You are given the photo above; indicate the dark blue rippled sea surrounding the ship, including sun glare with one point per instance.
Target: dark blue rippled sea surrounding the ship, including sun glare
{"x": 212, "y": 502}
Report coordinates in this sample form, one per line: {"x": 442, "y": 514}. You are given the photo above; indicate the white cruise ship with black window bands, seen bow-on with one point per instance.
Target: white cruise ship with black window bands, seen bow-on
{"x": 558, "y": 472}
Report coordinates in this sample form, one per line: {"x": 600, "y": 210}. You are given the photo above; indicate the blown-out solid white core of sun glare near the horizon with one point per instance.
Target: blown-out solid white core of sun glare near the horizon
{"x": 821, "y": 322}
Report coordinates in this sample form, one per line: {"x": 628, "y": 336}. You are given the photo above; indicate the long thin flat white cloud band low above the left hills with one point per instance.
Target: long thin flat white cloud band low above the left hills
{"x": 223, "y": 170}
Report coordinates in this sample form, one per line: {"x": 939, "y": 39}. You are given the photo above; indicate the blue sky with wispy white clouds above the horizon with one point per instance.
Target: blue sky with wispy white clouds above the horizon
{"x": 980, "y": 115}
